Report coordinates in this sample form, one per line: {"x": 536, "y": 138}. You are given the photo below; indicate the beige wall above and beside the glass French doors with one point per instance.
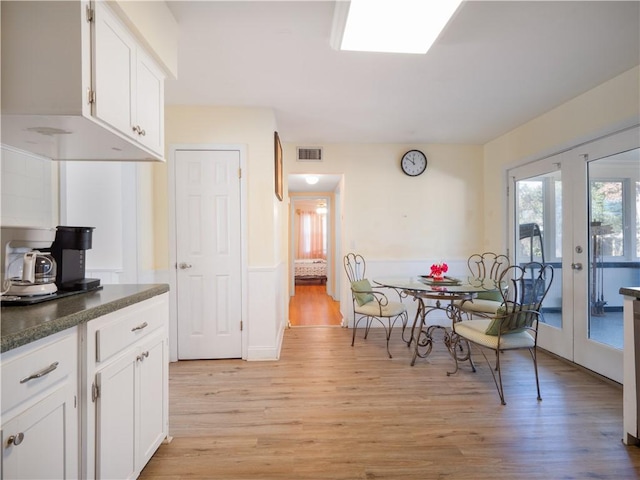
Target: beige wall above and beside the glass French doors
{"x": 605, "y": 109}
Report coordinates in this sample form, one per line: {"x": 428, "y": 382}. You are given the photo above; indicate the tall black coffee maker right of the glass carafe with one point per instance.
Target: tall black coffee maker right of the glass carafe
{"x": 68, "y": 250}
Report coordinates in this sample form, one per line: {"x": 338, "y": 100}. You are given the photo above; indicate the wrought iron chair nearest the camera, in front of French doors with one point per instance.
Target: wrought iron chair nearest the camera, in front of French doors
{"x": 514, "y": 325}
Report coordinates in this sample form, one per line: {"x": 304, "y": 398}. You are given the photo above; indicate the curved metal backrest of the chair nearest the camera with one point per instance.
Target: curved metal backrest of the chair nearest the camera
{"x": 527, "y": 286}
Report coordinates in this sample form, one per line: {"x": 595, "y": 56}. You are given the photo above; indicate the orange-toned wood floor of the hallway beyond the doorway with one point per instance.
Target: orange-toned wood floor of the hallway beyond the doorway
{"x": 311, "y": 306}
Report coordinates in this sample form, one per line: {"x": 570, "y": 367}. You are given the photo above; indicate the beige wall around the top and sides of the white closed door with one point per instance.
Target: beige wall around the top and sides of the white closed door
{"x": 252, "y": 127}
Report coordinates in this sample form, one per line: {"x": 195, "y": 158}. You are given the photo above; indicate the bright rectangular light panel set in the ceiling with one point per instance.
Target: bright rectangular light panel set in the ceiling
{"x": 393, "y": 26}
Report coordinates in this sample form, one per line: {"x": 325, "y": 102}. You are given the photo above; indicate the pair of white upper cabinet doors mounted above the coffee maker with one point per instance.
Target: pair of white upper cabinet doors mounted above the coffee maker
{"x": 129, "y": 87}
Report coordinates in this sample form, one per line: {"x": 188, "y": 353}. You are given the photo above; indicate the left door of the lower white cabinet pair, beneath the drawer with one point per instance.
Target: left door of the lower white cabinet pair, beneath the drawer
{"x": 115, "y": 420}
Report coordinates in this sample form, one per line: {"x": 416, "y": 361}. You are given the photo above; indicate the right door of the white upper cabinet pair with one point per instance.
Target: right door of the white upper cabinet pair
{"x": 149, "y": 97}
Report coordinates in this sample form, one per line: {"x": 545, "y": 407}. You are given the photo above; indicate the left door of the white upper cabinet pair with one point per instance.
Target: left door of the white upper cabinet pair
{"x": 113, "y": 67}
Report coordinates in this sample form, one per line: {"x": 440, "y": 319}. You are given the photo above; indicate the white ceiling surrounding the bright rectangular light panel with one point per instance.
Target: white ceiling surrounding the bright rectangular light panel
{"x": 496, "y": 66}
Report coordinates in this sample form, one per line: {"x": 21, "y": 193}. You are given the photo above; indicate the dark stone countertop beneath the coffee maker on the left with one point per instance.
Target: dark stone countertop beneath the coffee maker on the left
{"x": 24, "y": 324}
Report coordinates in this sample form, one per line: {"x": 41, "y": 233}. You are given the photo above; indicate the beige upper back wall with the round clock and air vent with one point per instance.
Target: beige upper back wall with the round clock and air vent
{"x": 388, "y": 215}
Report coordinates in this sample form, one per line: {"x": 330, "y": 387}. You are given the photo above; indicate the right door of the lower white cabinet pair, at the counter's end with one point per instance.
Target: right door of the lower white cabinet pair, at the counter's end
{"x": 152, "y": 371}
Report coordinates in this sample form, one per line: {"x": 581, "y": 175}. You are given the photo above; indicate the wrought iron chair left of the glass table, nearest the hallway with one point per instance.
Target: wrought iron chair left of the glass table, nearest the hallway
{"x": 368, "y": 304}
